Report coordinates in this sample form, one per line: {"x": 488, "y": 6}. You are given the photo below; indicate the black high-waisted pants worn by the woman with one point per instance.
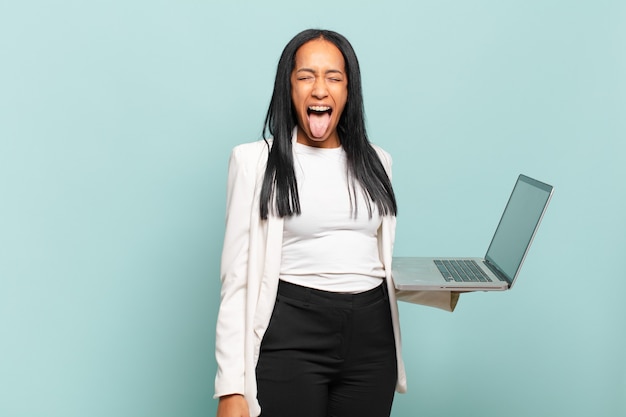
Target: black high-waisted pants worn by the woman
{"x": 327, "y": 355}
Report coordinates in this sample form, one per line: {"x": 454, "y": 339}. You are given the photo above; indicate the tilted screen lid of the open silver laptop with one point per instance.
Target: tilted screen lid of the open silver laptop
{"x": 518, "y": 224}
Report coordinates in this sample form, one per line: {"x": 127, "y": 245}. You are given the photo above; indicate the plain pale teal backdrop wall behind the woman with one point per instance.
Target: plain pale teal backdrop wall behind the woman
{"x": 116, "y": 122}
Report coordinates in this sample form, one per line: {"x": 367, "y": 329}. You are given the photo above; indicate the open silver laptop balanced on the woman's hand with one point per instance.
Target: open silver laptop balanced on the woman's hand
{"x": 499, "y": 269}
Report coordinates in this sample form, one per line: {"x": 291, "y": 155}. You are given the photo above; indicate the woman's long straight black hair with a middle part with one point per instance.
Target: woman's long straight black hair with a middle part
{"x": 279, "y": 193}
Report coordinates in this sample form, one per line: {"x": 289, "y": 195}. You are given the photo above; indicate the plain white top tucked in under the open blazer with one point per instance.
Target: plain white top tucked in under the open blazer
{"x": 328, "y": 247}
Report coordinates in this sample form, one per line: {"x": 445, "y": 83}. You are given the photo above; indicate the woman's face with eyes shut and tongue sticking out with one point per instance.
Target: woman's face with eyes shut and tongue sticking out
{"x": 319, "y": 91}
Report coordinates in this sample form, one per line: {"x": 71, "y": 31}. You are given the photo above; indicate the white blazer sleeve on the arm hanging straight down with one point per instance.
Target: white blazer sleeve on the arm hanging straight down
{"x": 230, "y": 327}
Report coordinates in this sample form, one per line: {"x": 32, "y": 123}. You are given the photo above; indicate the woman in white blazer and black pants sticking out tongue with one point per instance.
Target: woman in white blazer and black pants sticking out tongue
{"x": 308, "y": 321}
